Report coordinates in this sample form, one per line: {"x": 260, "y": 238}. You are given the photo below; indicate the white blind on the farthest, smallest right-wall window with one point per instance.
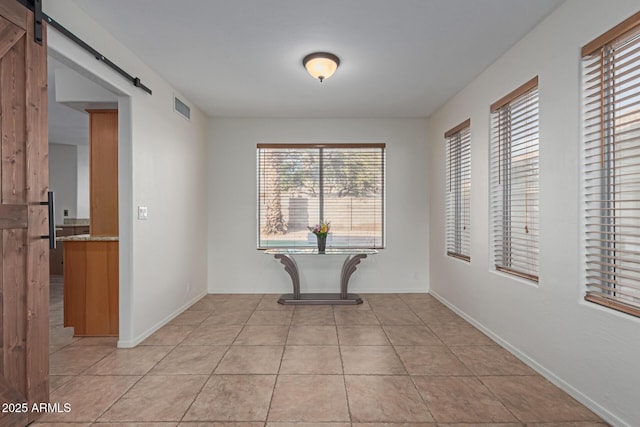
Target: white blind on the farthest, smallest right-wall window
{"x": 458, "y": 182}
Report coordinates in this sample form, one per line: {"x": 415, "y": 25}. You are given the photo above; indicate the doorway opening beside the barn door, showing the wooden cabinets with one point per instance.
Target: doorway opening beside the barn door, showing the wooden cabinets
{"x": 73, "y": 100}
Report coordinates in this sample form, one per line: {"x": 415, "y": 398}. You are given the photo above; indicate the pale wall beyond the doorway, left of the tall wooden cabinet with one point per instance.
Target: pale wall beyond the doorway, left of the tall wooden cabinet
{"x": 63, "y": 179}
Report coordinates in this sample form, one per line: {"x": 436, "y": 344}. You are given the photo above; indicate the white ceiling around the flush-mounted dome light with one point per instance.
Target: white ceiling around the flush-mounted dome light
{"x": 242, "y": 58}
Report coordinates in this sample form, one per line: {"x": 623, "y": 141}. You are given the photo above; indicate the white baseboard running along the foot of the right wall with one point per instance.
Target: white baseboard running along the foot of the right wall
{"x": 553, "y": 378}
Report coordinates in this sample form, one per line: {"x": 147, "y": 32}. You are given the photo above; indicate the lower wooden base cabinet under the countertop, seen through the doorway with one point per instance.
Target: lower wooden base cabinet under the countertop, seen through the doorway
{"x": 91, "y": 287}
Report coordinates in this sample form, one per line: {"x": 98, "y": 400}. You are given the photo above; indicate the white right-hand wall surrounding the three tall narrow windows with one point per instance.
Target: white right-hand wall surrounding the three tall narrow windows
{"x": 589, "y": 351}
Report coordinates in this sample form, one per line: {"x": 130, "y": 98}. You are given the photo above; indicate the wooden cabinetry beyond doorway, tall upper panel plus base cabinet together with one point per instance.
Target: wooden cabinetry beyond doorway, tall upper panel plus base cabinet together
{"x": 91, "y": 281}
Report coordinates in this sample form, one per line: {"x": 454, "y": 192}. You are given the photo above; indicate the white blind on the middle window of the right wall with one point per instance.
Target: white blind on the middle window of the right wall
{"x": 514, "y": 181}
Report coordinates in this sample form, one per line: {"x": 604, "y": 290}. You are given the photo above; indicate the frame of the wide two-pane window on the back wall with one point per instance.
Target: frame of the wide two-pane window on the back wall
{"x": 321, "y": 194}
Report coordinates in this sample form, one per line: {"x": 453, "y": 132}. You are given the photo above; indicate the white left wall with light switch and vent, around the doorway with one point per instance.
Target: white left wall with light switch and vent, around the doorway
{"x": 162, "y": 165}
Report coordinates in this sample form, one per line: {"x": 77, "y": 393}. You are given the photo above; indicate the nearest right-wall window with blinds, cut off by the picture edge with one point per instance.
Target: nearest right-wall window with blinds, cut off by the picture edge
{"x": 611, "y": 86}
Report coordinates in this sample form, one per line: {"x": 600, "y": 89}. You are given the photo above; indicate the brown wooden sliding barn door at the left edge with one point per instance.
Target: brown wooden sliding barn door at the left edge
{"x": 24, "y": 269}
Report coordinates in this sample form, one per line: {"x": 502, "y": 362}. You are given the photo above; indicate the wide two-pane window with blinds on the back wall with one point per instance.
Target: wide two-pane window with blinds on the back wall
{"x": 300, "y": 185}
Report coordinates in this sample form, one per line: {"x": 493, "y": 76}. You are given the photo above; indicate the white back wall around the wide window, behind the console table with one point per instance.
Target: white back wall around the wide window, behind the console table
{"x": 234, "y": 263}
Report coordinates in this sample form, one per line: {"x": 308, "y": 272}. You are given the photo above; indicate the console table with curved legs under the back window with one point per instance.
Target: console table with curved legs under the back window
{"x": 286, "y": 257}
